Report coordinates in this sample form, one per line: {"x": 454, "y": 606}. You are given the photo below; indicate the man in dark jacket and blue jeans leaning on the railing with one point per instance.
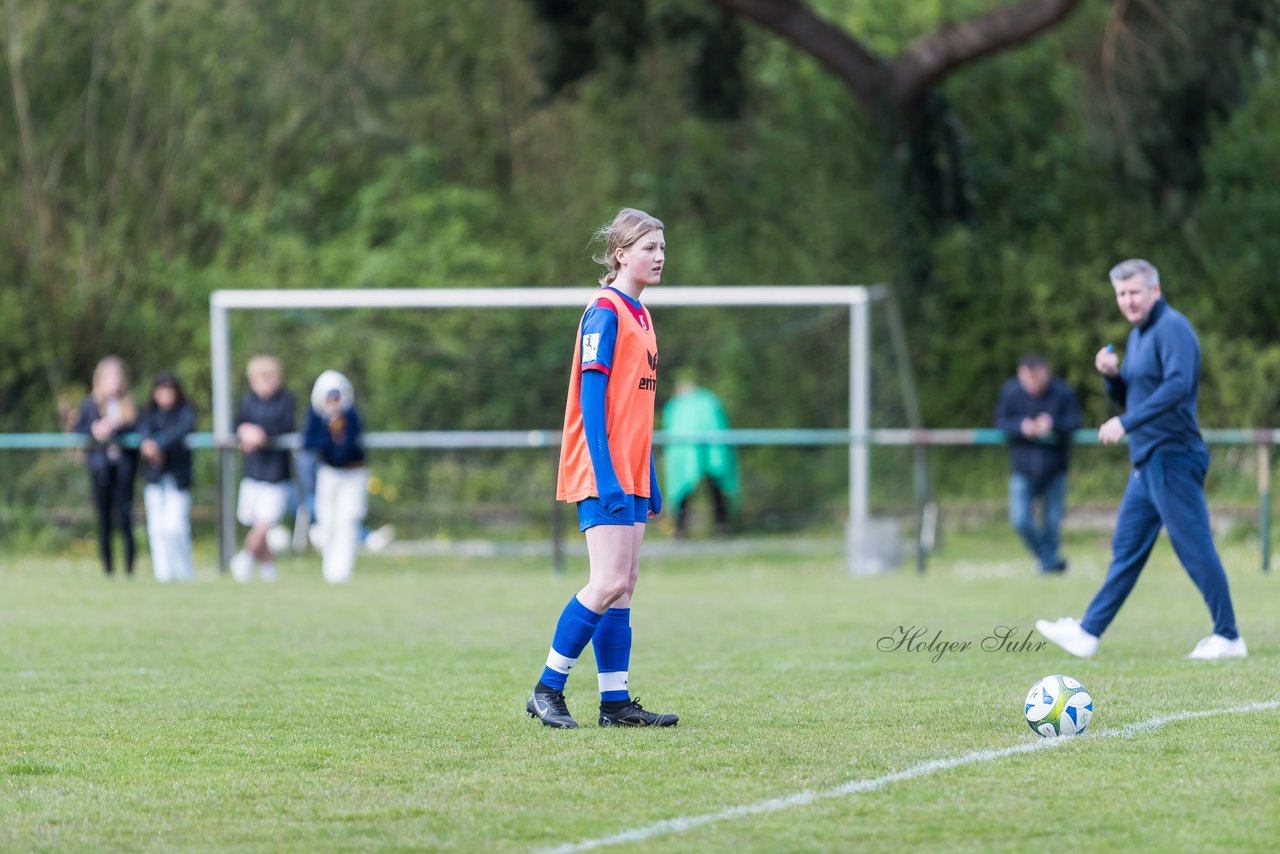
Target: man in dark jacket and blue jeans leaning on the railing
{"x": 1039, "y": 413}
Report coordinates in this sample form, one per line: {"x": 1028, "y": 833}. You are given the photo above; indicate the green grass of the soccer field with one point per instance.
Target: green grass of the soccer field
{"x": 390, "y": 714}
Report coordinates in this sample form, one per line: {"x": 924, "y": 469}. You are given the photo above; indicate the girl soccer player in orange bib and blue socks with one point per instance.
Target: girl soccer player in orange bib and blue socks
{"x": 607, "y": 471}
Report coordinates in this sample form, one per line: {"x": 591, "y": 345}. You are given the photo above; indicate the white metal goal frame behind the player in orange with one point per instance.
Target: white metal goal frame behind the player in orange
{"x": 857, "y": 299}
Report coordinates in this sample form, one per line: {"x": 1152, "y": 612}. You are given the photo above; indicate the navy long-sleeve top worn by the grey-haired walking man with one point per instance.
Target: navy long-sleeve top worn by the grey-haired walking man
{"x": 1159, "y": 385}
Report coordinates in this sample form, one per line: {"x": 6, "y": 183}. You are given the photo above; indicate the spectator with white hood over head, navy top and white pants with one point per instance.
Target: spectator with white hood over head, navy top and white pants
{"x": 342, "y": 481}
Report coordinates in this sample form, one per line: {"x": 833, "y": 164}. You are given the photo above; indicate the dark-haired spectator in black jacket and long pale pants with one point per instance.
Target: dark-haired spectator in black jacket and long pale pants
{"x": 163, "y": 430}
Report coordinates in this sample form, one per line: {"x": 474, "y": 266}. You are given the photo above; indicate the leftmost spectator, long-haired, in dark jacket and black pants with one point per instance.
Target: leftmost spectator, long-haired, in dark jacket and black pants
{"x": 107, "y": 415}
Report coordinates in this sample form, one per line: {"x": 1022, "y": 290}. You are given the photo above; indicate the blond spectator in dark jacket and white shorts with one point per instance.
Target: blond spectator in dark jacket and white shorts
{"x": 267, "y": 413}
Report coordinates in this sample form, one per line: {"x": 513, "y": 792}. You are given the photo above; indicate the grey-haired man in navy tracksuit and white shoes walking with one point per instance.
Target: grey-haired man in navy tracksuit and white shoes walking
{"x": 1158, "y": 386}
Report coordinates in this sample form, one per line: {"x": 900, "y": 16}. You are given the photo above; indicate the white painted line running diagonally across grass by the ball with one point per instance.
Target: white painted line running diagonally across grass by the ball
{"x": 856, "y": 787}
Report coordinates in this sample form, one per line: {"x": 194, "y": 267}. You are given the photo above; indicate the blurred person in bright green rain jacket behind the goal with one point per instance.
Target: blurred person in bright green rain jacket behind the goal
{"x": 696, "y": 410}
